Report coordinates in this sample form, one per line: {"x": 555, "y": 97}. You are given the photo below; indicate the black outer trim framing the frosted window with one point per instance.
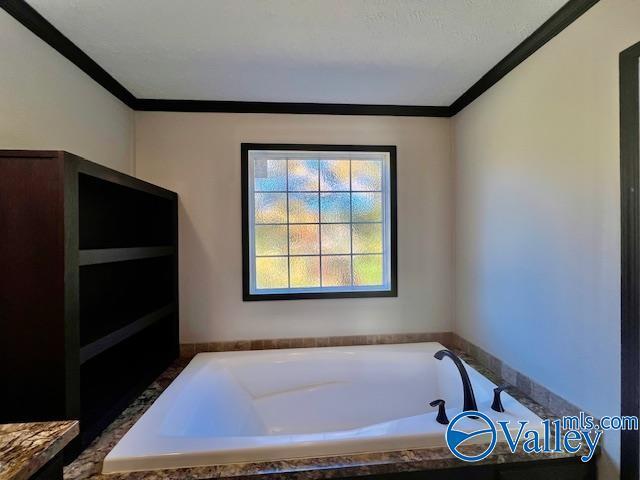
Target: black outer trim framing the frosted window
{"x": 393, "y": 254}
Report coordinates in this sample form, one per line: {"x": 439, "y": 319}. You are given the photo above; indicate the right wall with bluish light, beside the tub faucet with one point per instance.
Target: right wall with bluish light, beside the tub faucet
{"x": 538, "y": 214}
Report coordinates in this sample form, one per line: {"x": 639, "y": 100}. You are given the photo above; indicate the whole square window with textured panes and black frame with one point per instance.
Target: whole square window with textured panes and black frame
{"x": 319, "y": 221}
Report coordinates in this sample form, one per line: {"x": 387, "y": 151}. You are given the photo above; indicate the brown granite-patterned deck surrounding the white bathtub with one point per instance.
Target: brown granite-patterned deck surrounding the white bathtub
{"x": 89, "y": 463}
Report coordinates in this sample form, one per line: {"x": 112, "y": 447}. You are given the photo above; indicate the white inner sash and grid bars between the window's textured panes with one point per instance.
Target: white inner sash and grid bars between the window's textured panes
{"x": 384, "y": 159}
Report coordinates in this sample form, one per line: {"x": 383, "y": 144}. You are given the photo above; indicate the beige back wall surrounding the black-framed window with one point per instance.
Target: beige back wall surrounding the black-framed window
{"x": 198, "y": 155}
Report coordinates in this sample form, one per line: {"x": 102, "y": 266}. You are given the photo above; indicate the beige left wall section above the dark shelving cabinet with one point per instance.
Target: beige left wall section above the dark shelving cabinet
{"x": 46, "y": 102}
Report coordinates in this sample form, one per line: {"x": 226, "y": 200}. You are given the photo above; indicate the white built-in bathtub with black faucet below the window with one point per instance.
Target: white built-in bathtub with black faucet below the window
{"x": 277, "y": 404}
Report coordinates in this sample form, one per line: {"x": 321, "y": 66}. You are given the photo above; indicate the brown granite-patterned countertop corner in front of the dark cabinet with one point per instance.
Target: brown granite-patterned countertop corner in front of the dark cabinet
{"x": 26, "y": 447}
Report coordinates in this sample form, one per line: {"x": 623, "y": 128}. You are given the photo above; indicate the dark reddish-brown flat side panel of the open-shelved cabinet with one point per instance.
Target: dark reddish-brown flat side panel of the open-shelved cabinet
{"x": 32, "y": 289}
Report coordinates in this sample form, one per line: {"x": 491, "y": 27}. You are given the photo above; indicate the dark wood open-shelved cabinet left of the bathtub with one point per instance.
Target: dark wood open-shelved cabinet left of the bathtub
{"x": 88, "y": 288}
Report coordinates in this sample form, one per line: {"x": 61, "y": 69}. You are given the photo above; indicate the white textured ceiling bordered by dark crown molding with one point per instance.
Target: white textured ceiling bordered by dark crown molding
{"x": 405, "y": 52}
